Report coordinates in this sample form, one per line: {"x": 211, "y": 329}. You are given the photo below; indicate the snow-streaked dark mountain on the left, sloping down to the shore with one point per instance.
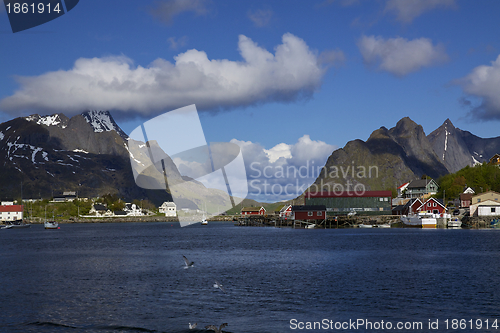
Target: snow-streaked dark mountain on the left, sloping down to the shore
{"x": 43, "y": 156}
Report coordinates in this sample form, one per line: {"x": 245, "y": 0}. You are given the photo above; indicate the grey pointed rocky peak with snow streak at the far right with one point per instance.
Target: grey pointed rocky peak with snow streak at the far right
{"x": 457, "y": 148}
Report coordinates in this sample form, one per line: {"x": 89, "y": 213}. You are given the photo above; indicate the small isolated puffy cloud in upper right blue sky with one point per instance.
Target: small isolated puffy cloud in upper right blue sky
{"x": 400, "y": 56}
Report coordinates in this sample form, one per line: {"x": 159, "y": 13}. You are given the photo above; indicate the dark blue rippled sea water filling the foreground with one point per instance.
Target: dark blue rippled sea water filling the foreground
{"x": 130, "y": 278}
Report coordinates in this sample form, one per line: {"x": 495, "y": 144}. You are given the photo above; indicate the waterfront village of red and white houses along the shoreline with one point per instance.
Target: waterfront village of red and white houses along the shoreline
{"x": 415, "y": 203}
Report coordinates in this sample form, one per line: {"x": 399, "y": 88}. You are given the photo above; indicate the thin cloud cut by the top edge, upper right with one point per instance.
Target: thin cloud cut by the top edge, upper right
{"x": 407, "y": 10}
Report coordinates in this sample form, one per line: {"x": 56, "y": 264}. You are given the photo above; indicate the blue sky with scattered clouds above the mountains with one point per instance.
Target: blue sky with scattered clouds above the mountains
{"x": 278, "y": 76}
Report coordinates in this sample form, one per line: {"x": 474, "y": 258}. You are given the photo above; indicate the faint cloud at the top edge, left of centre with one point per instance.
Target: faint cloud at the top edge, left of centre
{"x": 166, "y": 10}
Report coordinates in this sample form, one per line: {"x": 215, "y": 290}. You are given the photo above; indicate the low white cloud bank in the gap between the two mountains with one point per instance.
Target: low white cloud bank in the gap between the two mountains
{"x": 284, "y": 171}
